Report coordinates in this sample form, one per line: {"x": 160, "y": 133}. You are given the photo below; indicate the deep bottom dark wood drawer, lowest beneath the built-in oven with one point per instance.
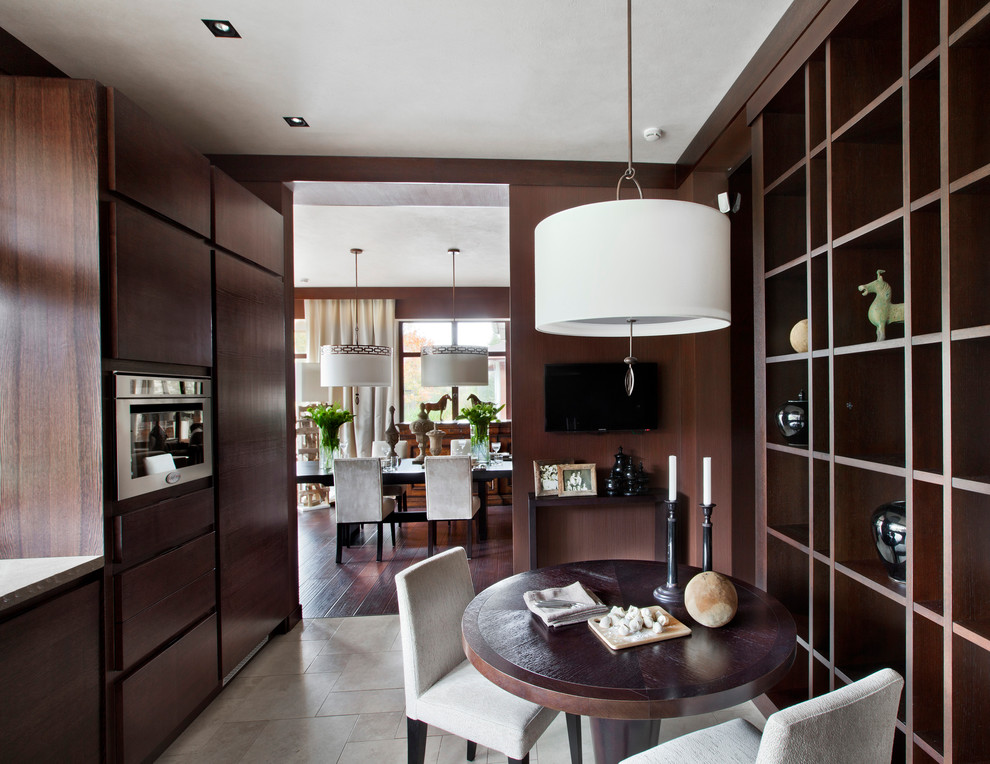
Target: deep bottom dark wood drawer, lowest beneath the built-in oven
{"x": 157, "y": 698}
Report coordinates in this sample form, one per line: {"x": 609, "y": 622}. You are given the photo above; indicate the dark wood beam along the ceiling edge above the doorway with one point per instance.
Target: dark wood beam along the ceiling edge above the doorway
{"x": 518, "y": 172}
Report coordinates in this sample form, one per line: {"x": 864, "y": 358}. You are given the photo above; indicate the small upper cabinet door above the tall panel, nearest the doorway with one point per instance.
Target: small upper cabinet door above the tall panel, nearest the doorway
{"x": 246, "y": 225}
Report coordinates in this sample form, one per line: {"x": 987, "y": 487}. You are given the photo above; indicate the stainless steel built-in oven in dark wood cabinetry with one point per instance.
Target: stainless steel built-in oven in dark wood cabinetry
{"x": 164, "y": 432}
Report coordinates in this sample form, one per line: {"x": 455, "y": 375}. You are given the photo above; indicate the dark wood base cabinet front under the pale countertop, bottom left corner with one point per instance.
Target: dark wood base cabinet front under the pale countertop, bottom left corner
{"x": 50, "y": 680}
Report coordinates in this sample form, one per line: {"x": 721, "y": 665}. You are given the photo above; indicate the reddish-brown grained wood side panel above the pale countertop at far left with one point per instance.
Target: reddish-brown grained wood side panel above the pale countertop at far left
{"x": 50, "y": 485}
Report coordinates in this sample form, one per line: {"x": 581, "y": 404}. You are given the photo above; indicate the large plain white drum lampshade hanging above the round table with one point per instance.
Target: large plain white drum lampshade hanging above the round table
{"x": 660, "y": 262}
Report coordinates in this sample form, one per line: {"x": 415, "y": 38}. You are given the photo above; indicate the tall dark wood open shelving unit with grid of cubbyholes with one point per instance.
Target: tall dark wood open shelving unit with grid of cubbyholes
{"x": 874, "y": 154}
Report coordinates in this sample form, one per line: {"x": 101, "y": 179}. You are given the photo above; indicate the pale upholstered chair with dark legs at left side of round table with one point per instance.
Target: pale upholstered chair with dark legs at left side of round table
{"x": 442, "y": 687}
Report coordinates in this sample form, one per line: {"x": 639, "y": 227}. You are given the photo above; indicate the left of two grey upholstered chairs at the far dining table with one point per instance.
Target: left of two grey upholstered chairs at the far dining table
{"x": 358, "y": 484}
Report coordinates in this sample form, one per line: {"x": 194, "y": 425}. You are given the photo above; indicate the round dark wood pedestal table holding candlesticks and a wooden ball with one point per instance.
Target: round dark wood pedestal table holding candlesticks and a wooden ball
{"x": 626, "y": 692}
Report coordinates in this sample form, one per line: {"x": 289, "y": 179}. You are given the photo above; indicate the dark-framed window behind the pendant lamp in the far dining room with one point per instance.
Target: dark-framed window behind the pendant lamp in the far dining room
{"x": 417, "y": 334}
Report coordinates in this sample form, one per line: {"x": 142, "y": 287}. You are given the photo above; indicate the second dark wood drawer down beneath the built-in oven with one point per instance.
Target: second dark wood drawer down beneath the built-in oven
{"x": 143, "y": 586}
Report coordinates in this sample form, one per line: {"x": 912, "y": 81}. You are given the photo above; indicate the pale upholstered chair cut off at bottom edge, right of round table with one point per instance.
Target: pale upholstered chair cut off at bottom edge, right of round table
{"x": 852, "y": 724}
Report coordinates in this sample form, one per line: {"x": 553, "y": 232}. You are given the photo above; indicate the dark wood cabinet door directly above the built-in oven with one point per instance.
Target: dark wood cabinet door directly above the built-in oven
{"x": 160, "y": 291}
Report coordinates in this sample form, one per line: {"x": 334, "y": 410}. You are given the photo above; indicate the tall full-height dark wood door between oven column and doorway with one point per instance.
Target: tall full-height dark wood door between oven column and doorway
{"x": 256, "y": 582}
